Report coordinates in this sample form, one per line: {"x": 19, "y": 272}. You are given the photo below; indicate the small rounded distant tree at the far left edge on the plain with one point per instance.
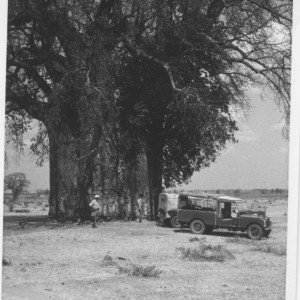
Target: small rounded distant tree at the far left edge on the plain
{"x": 17, "y": 183}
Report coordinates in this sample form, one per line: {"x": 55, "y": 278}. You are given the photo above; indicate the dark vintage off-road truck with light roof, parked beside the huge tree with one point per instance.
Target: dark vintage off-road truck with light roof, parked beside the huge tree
{"x": 203, "y": 213}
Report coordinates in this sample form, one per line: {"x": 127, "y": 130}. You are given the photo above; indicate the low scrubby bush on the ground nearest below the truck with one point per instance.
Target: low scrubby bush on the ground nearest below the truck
{"x": 206, "y": 252}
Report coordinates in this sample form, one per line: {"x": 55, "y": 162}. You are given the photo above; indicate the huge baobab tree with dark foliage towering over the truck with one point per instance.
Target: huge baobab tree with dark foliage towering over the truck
{"x": 131, "y": 76}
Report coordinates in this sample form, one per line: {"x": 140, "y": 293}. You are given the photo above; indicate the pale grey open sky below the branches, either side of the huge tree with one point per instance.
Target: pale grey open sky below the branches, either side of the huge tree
{"x": 258, "y": 160}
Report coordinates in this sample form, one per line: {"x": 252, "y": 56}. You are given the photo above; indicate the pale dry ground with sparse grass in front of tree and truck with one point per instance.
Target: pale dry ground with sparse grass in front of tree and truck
{"x": 65, "y": 261}
